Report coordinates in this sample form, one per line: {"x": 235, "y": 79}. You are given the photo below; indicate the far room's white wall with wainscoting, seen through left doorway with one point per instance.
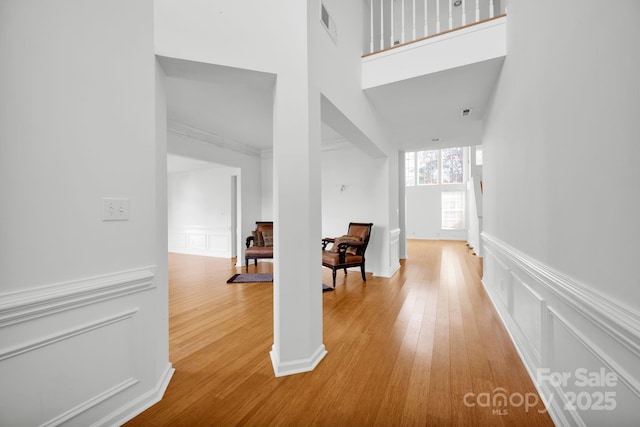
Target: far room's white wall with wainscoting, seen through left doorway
{"x": 200, "y": 212}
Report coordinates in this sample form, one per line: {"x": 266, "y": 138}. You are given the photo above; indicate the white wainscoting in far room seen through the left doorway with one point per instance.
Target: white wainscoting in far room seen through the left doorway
{"x": 215, "y": 242}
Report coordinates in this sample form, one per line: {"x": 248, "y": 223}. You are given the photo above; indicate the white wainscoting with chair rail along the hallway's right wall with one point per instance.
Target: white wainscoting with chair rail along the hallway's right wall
{"x": 580, "y": 347}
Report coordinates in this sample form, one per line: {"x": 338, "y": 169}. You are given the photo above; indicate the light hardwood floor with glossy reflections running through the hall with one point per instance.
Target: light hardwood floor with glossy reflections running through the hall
{"x": 401, "y": 352}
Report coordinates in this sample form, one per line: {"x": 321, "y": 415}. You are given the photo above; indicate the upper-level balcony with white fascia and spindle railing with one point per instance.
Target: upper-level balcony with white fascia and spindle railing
{"x": 409, "y": 38}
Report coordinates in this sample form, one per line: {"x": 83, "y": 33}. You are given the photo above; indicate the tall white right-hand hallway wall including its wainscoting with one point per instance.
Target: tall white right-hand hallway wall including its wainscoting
{"x": 561, "y": 197}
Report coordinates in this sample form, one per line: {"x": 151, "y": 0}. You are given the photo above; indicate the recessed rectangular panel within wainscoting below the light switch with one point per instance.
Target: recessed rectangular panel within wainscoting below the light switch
{"x": 102, "y": 352}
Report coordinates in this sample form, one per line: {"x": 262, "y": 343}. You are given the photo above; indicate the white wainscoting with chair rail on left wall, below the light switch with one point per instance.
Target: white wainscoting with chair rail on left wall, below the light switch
{"x": 71, "y": 353}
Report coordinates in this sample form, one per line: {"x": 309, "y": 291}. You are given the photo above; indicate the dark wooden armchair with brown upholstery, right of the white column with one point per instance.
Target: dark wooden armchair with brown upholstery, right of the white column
{"x": 348, "y": 250}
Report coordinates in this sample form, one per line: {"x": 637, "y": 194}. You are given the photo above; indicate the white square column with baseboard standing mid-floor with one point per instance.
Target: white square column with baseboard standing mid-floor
{"x": 297, "y": 287}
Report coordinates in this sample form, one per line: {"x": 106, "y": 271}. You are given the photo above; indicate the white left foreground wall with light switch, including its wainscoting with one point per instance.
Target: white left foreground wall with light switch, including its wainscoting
{"x": 83, "y": 331}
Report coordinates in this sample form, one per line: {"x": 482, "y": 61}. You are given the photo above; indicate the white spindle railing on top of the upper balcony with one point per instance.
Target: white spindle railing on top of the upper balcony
{"x": 393, "y": 23}
